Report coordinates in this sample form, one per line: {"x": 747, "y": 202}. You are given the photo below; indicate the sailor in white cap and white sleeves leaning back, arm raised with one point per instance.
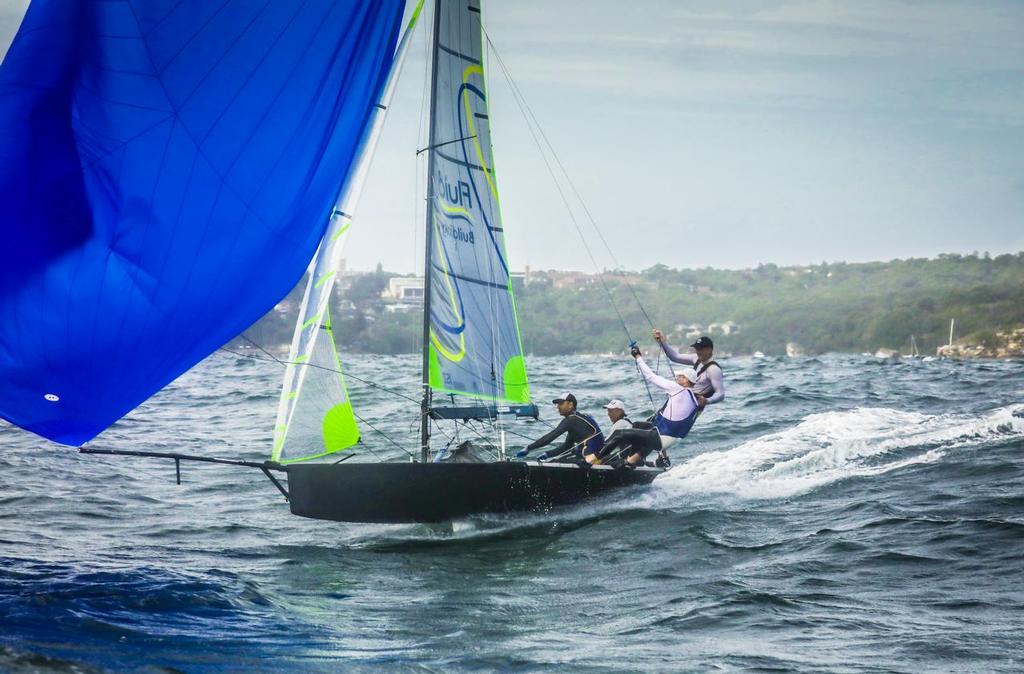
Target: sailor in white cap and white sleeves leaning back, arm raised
{"x": 671, "y": 424}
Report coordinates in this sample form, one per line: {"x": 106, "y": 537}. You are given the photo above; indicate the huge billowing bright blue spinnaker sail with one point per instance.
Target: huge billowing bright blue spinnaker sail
{"x": 167, "y": 171}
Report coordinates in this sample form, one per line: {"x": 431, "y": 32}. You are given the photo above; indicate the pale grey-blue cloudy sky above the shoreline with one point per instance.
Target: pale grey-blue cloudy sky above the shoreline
{"x": 728, "y": 135}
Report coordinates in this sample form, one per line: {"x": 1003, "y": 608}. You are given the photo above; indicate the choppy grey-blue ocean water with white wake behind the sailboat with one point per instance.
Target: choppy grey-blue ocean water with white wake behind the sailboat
{"x": 838, "y": 514}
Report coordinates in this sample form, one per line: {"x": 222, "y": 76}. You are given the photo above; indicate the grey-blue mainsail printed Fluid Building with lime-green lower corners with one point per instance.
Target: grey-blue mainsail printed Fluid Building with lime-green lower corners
{"x": 476, "y": 348}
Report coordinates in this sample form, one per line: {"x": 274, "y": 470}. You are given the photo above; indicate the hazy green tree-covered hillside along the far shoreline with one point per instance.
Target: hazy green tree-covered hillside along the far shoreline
{"x": 825, "y": 308}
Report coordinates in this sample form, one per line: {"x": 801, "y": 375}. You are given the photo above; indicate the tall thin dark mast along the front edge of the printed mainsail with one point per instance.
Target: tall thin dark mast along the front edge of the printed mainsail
{"x": 429, "y": 243}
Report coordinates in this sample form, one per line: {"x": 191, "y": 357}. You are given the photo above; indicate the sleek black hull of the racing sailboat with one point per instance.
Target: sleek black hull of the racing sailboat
{"x": 440, "y": 492}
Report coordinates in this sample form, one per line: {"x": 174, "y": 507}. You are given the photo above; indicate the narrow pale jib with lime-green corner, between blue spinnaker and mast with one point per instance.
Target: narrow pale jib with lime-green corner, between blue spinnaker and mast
{"x": 315, "y": 415}
